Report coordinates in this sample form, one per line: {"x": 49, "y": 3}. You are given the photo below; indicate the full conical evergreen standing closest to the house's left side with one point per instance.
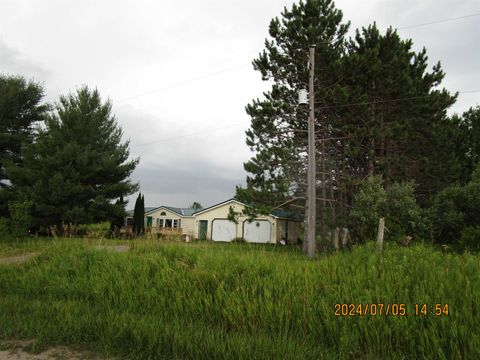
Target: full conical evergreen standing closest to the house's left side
{"x": 78, "y": 166}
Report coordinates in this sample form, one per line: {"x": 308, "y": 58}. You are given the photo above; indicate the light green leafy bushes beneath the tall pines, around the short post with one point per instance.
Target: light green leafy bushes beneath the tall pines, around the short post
{"x": 397, "y": 205}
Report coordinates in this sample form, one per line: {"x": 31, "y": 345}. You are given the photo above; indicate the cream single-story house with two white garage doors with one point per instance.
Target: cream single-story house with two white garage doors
{"x": 212, "y": 223}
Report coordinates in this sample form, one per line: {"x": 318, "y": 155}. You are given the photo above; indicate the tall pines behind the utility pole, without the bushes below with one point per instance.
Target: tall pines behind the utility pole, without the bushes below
{"x": 378, "y": 112}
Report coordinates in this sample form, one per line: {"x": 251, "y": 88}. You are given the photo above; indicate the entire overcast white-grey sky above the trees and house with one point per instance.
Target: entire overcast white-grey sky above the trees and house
{"x": 179, "y": 74}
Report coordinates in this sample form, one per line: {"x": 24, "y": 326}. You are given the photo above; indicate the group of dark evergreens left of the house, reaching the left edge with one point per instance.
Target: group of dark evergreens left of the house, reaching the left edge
{"x": 60, "y": 164}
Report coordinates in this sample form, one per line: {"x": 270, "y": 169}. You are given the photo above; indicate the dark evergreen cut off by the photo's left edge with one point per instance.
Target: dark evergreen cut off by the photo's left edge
{"x": 20, "y": 110}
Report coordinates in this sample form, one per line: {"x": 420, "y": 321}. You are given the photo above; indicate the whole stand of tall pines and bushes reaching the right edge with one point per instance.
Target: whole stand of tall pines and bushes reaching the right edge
{"x": 381, "y": 123}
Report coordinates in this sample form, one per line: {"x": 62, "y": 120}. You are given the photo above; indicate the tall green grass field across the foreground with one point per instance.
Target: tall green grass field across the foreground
{"x": 207, "y": 301}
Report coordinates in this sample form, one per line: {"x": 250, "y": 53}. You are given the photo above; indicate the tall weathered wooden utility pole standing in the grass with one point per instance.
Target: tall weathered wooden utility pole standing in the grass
{"x": 311, "y": 190}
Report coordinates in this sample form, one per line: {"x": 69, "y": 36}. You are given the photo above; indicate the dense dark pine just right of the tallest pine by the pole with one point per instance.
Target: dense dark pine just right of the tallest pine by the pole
{"x": 399, "y": 112}
